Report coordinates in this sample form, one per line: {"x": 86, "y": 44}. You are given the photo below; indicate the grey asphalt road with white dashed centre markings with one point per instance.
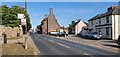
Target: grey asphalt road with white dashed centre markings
{"x": 52, "y": 46}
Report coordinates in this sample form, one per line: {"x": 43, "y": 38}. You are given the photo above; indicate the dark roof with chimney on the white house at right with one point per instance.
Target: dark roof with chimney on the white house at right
{"x": 113, "y": 10}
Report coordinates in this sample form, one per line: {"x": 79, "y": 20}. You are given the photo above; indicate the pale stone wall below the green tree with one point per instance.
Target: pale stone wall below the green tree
{"x": 10, "y": 32}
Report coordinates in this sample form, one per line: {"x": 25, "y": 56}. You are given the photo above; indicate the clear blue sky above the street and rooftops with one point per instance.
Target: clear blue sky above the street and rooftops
{"x": 65, "y": 12}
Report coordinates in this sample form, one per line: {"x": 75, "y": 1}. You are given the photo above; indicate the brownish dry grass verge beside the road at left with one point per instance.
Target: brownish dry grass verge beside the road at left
{"x": 17, "y": 49}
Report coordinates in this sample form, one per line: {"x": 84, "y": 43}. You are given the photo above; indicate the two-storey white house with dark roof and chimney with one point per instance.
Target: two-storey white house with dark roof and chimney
{"x": 107, "y": 24}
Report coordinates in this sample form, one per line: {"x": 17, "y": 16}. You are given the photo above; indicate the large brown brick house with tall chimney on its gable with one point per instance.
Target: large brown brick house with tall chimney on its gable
{"x": 49, "y": 23}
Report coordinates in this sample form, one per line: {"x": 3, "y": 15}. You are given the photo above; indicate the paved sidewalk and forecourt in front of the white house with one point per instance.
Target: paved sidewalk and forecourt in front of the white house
{"x": 103, "y": 43}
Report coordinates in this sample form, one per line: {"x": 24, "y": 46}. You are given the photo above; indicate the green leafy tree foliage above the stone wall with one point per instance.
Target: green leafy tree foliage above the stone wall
{"x": 9, "y": 16}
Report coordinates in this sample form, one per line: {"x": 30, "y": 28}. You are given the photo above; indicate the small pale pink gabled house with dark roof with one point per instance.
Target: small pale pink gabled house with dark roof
{"x": 79, "y": 25}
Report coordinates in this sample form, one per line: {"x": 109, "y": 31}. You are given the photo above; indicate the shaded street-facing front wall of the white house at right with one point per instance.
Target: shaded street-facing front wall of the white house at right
{"x": 103, "y": 28}
